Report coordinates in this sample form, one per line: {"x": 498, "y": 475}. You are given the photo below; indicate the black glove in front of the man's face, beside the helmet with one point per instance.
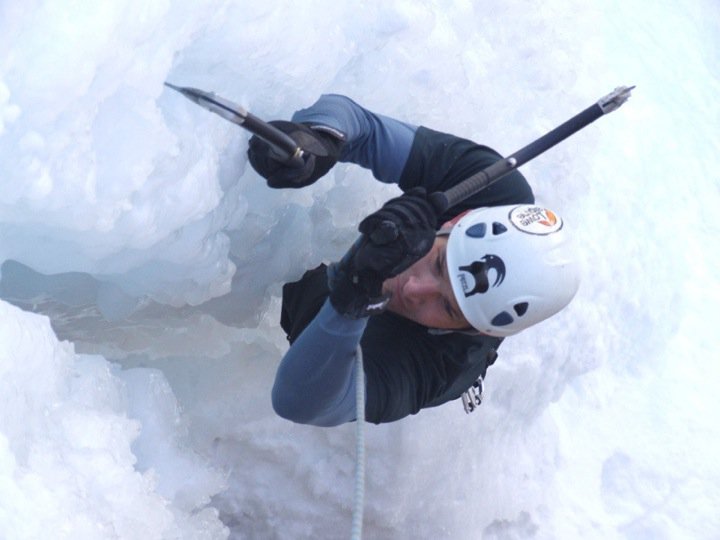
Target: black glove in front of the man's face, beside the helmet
{"x": 394, "y": 238}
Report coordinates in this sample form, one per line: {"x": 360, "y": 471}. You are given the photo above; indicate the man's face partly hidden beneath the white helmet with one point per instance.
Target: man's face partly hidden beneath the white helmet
{"x": 423, "y": 293}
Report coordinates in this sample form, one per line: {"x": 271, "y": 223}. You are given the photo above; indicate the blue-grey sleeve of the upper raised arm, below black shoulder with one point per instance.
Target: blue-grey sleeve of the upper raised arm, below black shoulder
{"x": 373, "y": 141}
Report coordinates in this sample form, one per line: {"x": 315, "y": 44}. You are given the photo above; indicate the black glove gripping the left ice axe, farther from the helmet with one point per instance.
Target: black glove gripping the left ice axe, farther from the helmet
{"x": 320, "y": 152}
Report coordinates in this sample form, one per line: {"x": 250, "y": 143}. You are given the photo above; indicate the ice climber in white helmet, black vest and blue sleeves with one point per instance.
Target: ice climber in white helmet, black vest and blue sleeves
{"x": 428, "y": 297}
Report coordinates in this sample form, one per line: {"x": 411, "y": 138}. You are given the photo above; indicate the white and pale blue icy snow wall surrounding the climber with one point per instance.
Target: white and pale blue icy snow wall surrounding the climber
{"x": 130, "y": 217}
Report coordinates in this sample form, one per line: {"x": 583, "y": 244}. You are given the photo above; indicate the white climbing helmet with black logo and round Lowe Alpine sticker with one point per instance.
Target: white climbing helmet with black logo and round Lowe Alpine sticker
{"x": 511, "y": 267}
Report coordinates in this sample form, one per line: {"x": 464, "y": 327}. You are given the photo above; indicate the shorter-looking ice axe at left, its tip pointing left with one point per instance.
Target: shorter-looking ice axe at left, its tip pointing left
{"x": 284, "y": 147}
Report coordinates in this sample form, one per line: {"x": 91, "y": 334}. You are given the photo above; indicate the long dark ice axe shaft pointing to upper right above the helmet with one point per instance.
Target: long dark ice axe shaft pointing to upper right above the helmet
{"x": 493, "y": 173}
